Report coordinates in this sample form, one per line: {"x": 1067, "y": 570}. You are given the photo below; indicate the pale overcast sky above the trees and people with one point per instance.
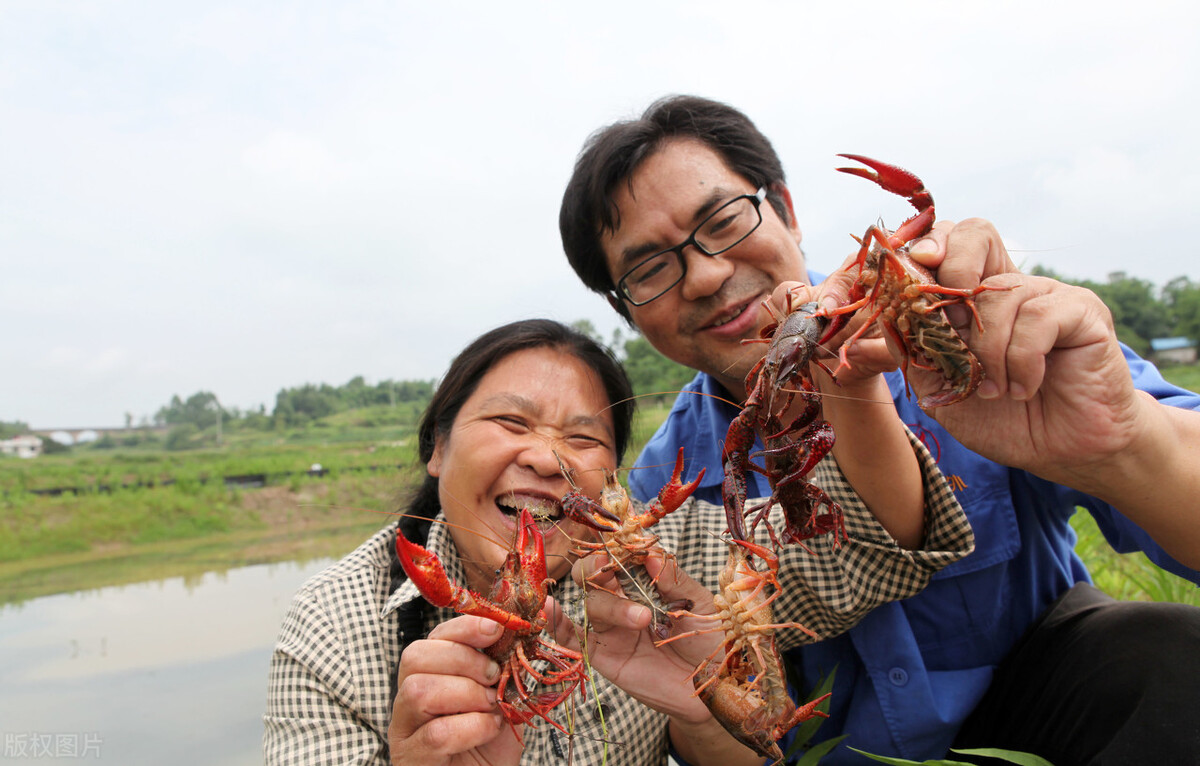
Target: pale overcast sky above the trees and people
{"x": 241, "y": 198}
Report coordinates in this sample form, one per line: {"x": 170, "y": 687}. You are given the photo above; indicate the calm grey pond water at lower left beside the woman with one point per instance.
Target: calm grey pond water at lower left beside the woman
{"x": 159, "y": 673}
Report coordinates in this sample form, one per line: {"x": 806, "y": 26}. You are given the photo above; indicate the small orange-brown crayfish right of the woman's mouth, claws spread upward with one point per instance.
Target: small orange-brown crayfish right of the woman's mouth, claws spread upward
{"x": 626, "y": 538}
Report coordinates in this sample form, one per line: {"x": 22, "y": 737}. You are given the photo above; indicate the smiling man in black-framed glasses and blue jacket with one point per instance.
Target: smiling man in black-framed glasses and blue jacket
{"x": 1009, "y": 648}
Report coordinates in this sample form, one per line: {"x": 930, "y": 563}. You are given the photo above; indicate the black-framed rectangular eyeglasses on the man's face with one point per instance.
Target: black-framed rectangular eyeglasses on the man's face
{"x": 724, "y": 229}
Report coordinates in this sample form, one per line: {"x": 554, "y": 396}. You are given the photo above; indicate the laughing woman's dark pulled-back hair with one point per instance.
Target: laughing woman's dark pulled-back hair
{"x": 469, "y": 369}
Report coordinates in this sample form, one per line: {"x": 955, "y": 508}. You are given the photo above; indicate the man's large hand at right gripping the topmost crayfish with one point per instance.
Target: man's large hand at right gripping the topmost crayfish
{"x": 1058, "y": 393}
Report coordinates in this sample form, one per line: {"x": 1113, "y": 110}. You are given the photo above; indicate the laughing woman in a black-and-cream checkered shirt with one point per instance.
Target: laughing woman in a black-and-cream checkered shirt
{"x": 513, "y": 404}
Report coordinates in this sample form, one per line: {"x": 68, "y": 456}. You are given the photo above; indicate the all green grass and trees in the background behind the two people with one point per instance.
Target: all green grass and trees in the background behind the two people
{"x": 153, "y": 502}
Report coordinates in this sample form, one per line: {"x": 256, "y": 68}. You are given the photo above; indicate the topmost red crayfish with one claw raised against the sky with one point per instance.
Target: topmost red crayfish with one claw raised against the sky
{"x": 904, "y": 297}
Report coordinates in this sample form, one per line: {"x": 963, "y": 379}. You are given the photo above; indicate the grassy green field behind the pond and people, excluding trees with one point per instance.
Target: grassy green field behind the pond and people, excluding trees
{"x": 99, "y": 537}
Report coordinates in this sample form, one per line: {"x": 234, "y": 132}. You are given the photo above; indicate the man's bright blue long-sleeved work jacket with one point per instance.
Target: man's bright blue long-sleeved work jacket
{"x": 911, "y": 672}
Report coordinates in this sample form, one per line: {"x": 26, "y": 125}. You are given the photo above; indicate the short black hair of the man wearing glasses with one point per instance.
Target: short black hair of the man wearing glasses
{"x": 613, "y": 154}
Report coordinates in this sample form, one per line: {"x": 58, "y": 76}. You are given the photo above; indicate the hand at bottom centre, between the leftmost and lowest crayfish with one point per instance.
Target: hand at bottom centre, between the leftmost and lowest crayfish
{"x": 622, "y": 650}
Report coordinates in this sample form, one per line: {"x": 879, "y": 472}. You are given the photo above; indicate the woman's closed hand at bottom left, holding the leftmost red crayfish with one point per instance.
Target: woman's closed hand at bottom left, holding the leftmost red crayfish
{"x": 446, "y": 711}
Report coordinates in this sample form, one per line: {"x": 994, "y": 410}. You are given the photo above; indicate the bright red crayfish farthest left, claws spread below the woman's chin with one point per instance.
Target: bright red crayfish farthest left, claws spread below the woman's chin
{"x": 517, "y": 602}
